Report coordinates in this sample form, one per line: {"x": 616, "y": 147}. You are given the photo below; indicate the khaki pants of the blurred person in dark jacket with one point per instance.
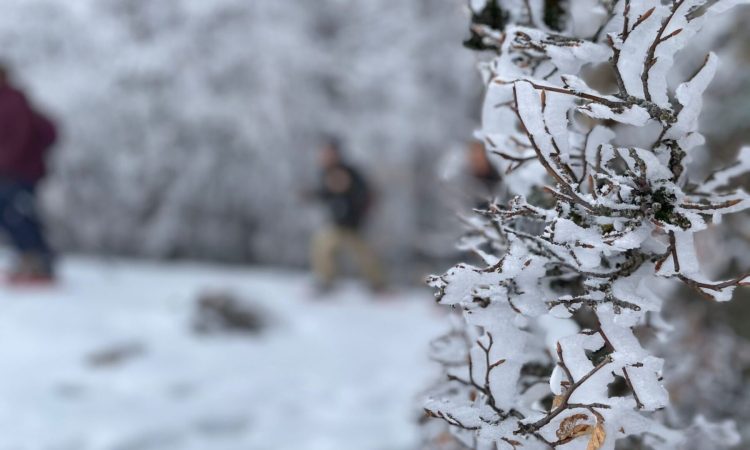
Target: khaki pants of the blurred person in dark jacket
{"x": 328, "y": 243}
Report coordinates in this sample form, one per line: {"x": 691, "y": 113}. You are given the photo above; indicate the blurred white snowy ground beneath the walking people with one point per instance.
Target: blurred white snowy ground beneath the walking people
{"x": 340, "y": 373}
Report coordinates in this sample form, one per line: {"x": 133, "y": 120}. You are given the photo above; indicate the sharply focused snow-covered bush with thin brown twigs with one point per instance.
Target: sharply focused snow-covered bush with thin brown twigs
{"x": 548, "y": 355}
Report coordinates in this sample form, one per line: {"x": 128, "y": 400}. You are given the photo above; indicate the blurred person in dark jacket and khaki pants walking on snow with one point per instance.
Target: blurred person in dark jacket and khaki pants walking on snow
{"x": 347, "y": 197}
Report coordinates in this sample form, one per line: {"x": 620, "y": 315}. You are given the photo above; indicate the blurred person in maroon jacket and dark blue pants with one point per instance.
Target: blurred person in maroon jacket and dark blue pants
{"x": 26, "y": 136}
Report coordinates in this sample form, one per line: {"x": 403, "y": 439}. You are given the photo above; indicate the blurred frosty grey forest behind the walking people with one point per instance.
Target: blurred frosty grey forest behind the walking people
{"x": 190, "y": 127}
